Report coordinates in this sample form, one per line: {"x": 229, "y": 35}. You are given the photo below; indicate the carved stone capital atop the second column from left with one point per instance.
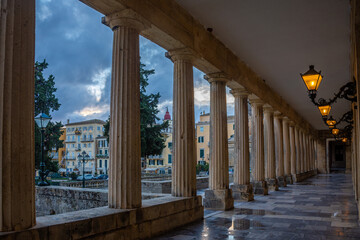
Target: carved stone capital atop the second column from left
{"x": 126, "y": 18}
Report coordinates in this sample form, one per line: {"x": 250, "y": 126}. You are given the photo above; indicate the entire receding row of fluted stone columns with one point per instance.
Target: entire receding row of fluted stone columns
{"x": 274, "y": 161}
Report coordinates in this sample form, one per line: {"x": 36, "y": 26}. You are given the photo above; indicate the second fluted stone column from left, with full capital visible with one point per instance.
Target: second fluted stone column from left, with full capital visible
{"x": 125, "y": 152}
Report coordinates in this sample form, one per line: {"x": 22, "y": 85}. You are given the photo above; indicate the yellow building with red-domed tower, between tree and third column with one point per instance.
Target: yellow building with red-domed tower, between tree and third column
{"x": 162, "y": 163}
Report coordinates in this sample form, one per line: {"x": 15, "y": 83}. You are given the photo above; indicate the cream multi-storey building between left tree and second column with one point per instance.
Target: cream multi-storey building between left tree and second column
{"x": 80, "y": 136}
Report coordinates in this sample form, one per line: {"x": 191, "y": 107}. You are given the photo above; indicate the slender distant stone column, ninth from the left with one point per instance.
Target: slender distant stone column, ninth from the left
{"x": 287, "y": 152}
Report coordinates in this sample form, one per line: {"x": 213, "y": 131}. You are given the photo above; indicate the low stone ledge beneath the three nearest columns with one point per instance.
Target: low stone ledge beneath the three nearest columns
{"x": 155, "y": 217}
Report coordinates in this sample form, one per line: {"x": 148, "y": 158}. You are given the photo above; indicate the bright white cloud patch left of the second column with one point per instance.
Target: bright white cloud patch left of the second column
{"x": 99, "y": 80}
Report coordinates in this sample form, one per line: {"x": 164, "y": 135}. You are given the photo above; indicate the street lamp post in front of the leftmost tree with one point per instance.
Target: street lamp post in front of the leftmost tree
{"x": 42, "y": 120}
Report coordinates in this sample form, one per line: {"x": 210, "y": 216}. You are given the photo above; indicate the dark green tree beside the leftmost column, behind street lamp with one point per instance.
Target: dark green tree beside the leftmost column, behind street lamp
{"x": 46, "y": 102}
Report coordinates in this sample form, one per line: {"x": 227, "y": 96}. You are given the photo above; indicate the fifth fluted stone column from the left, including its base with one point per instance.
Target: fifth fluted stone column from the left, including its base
{"x": 242, "y": 189}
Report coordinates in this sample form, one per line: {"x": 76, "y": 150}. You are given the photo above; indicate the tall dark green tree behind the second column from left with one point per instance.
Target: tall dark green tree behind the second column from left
{"x": 152, "y": 141}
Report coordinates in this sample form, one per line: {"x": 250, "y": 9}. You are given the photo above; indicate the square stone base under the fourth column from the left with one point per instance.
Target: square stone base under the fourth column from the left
{"x": 219, "y": 199}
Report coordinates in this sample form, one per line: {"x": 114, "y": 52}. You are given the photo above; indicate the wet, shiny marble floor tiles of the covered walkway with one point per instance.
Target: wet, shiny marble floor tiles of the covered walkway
{"x": 322, "y": 207}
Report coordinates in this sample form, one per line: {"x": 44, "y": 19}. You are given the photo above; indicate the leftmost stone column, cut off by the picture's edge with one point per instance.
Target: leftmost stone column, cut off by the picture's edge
{"x": 17, "y": 149}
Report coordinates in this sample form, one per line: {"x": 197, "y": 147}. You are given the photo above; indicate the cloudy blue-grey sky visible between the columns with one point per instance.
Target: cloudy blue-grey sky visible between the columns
{"x": 78, "y": 49}
